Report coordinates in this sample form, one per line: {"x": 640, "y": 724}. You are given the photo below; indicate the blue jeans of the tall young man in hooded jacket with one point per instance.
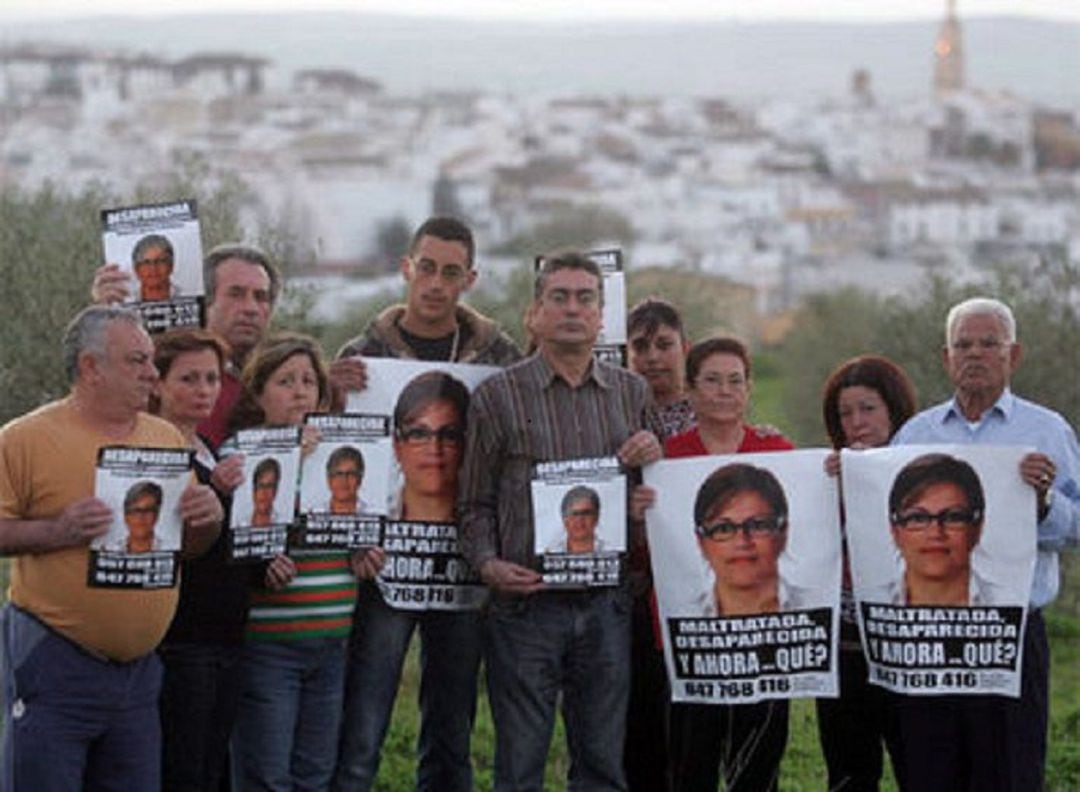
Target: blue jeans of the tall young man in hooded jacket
{"x": 450, "y": 663}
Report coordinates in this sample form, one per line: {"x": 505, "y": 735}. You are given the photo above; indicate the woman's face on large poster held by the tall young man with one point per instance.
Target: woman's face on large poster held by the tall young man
{"x": 429, "y": 450}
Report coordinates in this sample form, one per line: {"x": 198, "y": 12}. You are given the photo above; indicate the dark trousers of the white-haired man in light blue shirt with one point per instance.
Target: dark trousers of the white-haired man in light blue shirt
{"x": 980, "y": 743}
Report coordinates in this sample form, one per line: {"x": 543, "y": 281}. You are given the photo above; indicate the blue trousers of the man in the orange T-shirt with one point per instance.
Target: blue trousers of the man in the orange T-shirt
{"x": 76, "y": 721}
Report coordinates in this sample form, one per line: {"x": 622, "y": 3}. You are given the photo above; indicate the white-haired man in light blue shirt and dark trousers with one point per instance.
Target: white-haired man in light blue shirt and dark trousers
{"x": 992, "y": 743}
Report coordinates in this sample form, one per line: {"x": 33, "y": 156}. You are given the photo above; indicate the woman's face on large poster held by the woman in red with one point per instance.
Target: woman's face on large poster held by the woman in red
{"x": 746, "y": 544}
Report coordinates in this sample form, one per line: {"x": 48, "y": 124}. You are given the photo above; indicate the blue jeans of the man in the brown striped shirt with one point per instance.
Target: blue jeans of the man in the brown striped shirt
{"x": 574, "y": 643}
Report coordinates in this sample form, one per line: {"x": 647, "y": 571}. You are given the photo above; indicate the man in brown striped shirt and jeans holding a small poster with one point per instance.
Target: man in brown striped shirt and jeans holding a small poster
{"x": 543, "y": 648}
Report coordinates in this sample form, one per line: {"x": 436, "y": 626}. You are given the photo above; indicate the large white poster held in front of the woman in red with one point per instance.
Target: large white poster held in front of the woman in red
{"x": 747, "y": 565}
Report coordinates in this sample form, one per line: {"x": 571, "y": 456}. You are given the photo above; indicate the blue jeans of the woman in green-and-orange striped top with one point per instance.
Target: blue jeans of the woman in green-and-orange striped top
{"x": 287, "y": 731}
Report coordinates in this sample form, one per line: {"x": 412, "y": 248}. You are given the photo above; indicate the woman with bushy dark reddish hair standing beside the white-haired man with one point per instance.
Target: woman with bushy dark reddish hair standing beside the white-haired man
{"x": 866, "y": 401}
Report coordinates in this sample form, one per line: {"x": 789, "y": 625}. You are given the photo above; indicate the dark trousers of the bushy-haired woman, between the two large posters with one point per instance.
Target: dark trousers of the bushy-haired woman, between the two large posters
{"x": 853, "y": 728}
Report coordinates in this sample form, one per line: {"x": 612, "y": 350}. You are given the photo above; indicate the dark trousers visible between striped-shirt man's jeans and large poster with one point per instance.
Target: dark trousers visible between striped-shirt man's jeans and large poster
{"x": 645, "y": 758}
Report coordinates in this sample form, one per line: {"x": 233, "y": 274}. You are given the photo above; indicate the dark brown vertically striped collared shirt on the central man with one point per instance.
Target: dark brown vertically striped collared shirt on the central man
{"x": 529, "y": 414}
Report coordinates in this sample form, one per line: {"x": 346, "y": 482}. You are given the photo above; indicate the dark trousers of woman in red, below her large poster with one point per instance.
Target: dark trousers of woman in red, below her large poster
{"x": 747, "y": 741}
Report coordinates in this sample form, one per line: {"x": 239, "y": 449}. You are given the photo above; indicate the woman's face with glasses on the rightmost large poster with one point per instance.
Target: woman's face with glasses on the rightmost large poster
{"x": 936, "y": 534}
